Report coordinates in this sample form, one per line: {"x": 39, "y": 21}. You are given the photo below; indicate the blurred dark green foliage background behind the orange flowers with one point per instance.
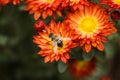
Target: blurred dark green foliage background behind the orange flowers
{"x": 18, "y": 54}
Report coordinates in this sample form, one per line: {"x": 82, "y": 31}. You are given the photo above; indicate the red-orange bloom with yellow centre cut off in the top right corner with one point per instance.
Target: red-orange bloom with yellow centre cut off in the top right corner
{"x": 112, "y": 3}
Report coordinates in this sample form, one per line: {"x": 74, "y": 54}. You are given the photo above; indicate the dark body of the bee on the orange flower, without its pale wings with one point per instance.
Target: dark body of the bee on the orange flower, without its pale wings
{"x": 56, "y": 40}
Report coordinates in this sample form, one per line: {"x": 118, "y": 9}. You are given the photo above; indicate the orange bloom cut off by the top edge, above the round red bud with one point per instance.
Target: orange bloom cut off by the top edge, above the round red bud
{"x": 42, "y": 8}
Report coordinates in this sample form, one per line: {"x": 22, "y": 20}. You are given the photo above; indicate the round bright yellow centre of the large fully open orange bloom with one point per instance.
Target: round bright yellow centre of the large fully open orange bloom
{"x": 88, "y": 25}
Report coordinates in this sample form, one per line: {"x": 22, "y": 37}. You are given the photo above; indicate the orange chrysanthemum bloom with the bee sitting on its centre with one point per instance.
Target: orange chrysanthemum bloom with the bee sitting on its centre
{"x": 55, "y": 42}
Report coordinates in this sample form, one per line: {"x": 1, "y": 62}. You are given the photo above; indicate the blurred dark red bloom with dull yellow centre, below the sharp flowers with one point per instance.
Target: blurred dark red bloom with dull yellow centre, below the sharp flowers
{"x": 81, "y": 69}
